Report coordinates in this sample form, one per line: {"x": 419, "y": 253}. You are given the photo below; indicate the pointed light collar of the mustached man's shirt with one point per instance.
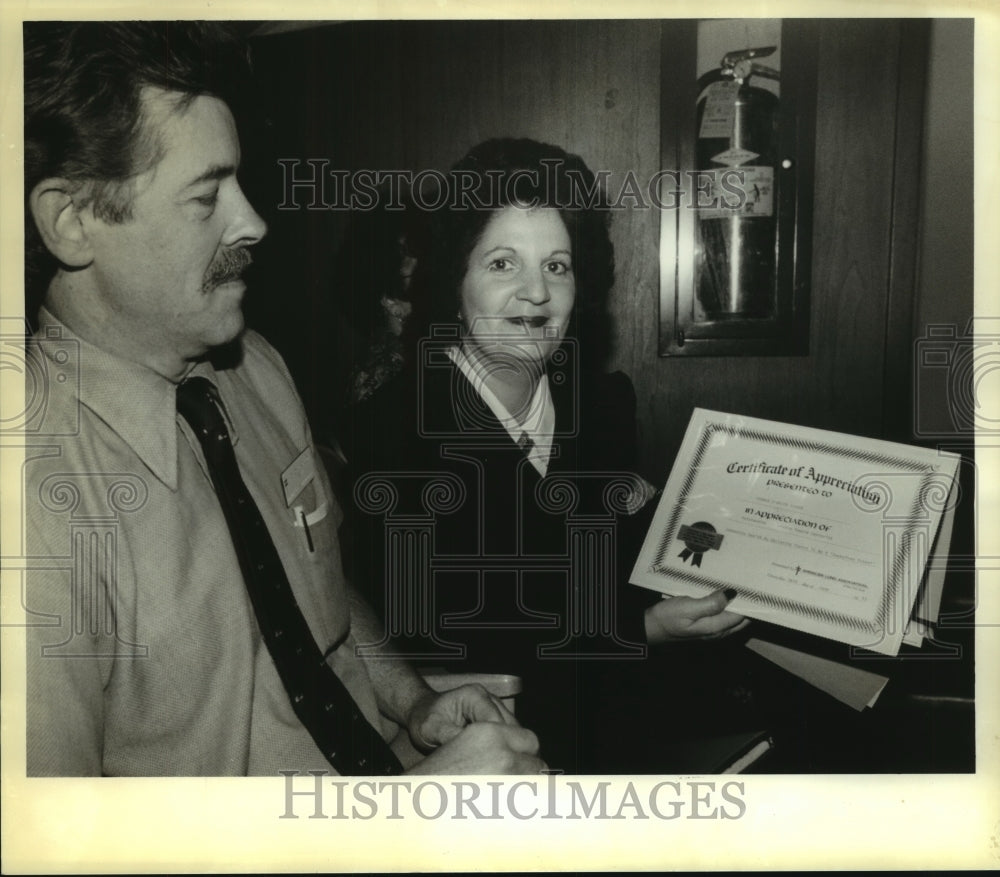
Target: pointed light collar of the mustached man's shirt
{"x": 138, "y": 404}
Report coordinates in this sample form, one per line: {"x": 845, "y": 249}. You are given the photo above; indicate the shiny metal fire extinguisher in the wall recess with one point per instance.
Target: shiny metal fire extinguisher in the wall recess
{"x": 737, "y": 149}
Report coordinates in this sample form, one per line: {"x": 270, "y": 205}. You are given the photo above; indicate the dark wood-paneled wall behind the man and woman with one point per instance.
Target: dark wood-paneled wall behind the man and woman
{"x": 417, "y": 95}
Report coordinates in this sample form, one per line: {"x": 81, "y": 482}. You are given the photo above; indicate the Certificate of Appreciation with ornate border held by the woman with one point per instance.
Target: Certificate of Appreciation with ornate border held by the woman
{"x": 819, "y": 531}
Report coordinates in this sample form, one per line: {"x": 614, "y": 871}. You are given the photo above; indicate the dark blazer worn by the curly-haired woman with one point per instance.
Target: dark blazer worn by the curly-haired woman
{"x": 477, "y": 563}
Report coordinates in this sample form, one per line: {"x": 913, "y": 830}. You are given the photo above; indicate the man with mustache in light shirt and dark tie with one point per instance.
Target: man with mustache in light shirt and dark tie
{"x": 171, "y": 480}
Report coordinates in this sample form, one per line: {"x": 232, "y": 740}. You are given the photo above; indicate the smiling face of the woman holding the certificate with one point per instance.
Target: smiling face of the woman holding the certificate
{"x": 518, "y": 291}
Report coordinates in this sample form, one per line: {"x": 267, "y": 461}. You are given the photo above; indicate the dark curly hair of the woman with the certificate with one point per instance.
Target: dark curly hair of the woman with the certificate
{"x": 516, "y": 172}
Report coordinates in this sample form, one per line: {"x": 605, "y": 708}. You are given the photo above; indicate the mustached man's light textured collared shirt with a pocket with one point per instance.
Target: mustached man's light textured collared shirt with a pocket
{"x": 144, "y": 655}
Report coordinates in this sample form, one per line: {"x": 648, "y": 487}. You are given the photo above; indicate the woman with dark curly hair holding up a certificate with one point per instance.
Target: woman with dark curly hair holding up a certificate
{"x": 497, "y": 509}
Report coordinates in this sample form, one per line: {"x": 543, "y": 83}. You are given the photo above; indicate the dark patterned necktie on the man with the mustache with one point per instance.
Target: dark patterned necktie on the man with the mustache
{"x": 319, "y": 698}
